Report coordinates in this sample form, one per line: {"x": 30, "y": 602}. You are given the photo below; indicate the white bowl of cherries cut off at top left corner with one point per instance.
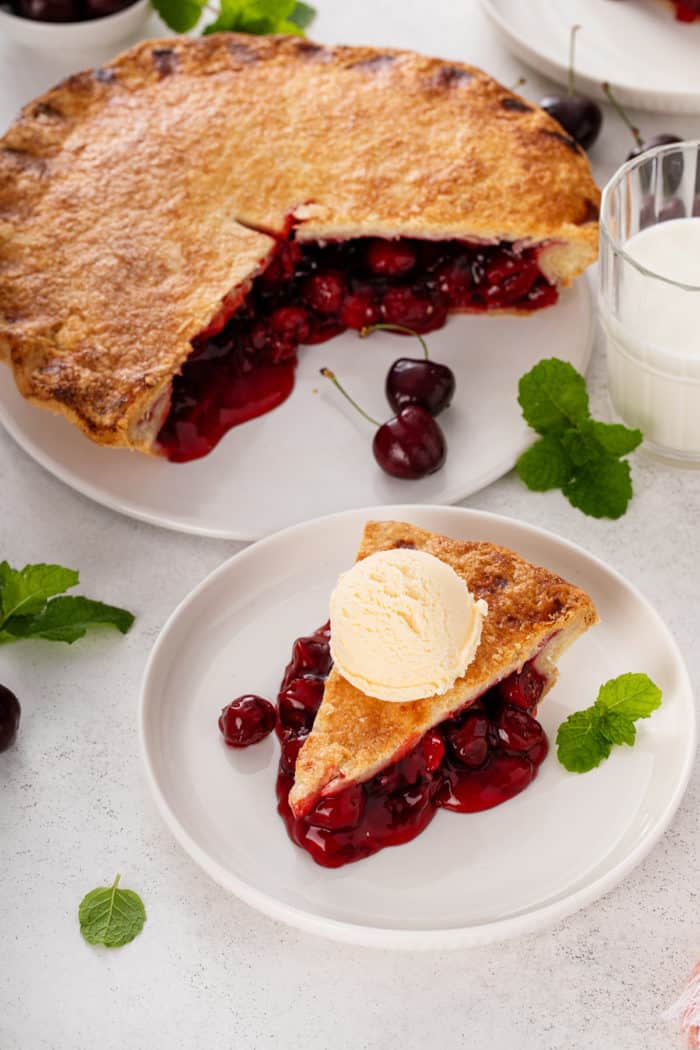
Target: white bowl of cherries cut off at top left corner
{"x": 60, "y": 37}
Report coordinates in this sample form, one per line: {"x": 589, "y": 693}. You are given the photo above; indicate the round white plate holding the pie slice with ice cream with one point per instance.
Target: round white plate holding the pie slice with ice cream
{"x": 468, "y": 879}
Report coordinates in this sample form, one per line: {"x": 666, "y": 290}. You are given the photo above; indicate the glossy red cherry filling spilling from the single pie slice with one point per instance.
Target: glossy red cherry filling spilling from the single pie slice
{"x": 476, "y": 760}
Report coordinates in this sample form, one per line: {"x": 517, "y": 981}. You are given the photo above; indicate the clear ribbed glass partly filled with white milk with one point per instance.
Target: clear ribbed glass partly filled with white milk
{"x": 650, "y": 299}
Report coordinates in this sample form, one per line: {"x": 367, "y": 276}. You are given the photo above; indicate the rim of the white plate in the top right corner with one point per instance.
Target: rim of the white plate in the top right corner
{"x": 657, "y": 101}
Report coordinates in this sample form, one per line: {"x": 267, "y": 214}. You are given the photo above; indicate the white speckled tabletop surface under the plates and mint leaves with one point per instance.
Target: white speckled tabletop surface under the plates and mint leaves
{"x": 208, "y": 972}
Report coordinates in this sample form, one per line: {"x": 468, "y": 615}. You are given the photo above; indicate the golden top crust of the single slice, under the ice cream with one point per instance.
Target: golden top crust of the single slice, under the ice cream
{"x": 533, "y": 614}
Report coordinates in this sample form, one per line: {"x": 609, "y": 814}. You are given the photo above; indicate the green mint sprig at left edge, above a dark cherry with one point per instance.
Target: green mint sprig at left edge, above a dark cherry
{"x": 30, "y": 607}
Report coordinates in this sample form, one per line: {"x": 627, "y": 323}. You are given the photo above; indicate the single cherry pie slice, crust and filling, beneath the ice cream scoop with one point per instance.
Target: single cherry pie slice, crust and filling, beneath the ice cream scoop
{"x": 358, "y": 774}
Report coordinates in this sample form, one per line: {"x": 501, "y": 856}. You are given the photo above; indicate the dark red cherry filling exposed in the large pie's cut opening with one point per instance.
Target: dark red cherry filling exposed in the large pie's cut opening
{"x": 243, "y": 365}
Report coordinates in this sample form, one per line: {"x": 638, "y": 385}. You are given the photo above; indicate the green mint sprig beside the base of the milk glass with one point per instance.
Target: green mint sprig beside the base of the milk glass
{"x": 580, "y": 455}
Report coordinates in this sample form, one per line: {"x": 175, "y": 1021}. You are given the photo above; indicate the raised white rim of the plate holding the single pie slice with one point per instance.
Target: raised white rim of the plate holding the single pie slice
{"x": 378, "y": 937}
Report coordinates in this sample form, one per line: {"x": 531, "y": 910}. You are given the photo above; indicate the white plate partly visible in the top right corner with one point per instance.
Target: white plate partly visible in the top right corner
{"x": 651, "y": 60}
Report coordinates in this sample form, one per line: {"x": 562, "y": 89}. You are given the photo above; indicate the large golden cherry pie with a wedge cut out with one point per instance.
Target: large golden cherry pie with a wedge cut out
{"x": 175, "y": 225}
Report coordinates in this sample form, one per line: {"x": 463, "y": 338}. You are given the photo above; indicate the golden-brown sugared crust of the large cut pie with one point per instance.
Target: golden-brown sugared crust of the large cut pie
{"x": 132, "y": 196}
